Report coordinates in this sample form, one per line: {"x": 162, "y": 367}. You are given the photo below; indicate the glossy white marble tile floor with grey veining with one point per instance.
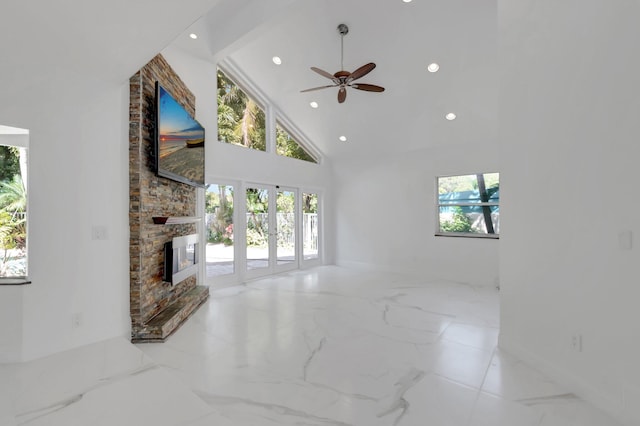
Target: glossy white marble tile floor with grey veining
{"x": 325, "y": 347}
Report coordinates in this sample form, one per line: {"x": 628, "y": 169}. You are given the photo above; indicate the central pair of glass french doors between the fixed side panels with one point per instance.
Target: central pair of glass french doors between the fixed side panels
{"x": 271, "y": 222}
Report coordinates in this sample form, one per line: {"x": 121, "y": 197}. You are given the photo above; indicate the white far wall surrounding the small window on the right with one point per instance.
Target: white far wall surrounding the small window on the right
{"x": 386, "y": 218}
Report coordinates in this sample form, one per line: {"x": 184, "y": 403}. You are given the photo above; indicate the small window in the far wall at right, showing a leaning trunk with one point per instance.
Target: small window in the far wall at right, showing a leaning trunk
{"x": 469, "y": 205}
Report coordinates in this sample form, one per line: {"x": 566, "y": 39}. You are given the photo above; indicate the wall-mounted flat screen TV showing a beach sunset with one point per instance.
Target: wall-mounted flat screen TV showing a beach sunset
{"x": 179, "y": 145}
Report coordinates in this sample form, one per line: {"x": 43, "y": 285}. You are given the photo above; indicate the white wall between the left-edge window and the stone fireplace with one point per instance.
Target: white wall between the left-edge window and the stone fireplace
{"x": 78, "y": 178}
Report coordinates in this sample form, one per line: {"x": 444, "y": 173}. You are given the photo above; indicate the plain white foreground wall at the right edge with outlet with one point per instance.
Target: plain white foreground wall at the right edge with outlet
{"x": 570, "y": 101}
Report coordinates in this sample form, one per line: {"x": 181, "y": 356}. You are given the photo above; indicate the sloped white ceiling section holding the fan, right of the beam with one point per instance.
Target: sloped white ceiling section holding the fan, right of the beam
{"x": 401, "y": 38}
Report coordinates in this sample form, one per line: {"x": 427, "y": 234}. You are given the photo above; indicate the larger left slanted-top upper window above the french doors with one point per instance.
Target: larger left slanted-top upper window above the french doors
{"x": 241, "y": 121}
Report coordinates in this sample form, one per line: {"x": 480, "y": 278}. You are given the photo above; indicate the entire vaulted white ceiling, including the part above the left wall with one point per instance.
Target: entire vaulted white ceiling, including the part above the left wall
{"x": 94, "y": 41}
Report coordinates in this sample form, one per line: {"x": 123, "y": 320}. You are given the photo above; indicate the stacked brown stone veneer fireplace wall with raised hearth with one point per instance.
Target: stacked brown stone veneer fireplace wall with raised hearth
{"x": 157, "y": 308}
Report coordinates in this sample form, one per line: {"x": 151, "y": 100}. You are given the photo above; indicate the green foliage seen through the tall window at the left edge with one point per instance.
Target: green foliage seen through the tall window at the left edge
{"x": 13, "y": 209}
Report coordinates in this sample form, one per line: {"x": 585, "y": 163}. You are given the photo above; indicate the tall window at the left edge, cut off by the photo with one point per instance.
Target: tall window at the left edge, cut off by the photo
{"x": 13, "y": 205}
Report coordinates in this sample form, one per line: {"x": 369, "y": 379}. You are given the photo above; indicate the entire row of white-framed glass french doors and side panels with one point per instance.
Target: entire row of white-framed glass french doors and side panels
{"x": 253, "y": 230}
